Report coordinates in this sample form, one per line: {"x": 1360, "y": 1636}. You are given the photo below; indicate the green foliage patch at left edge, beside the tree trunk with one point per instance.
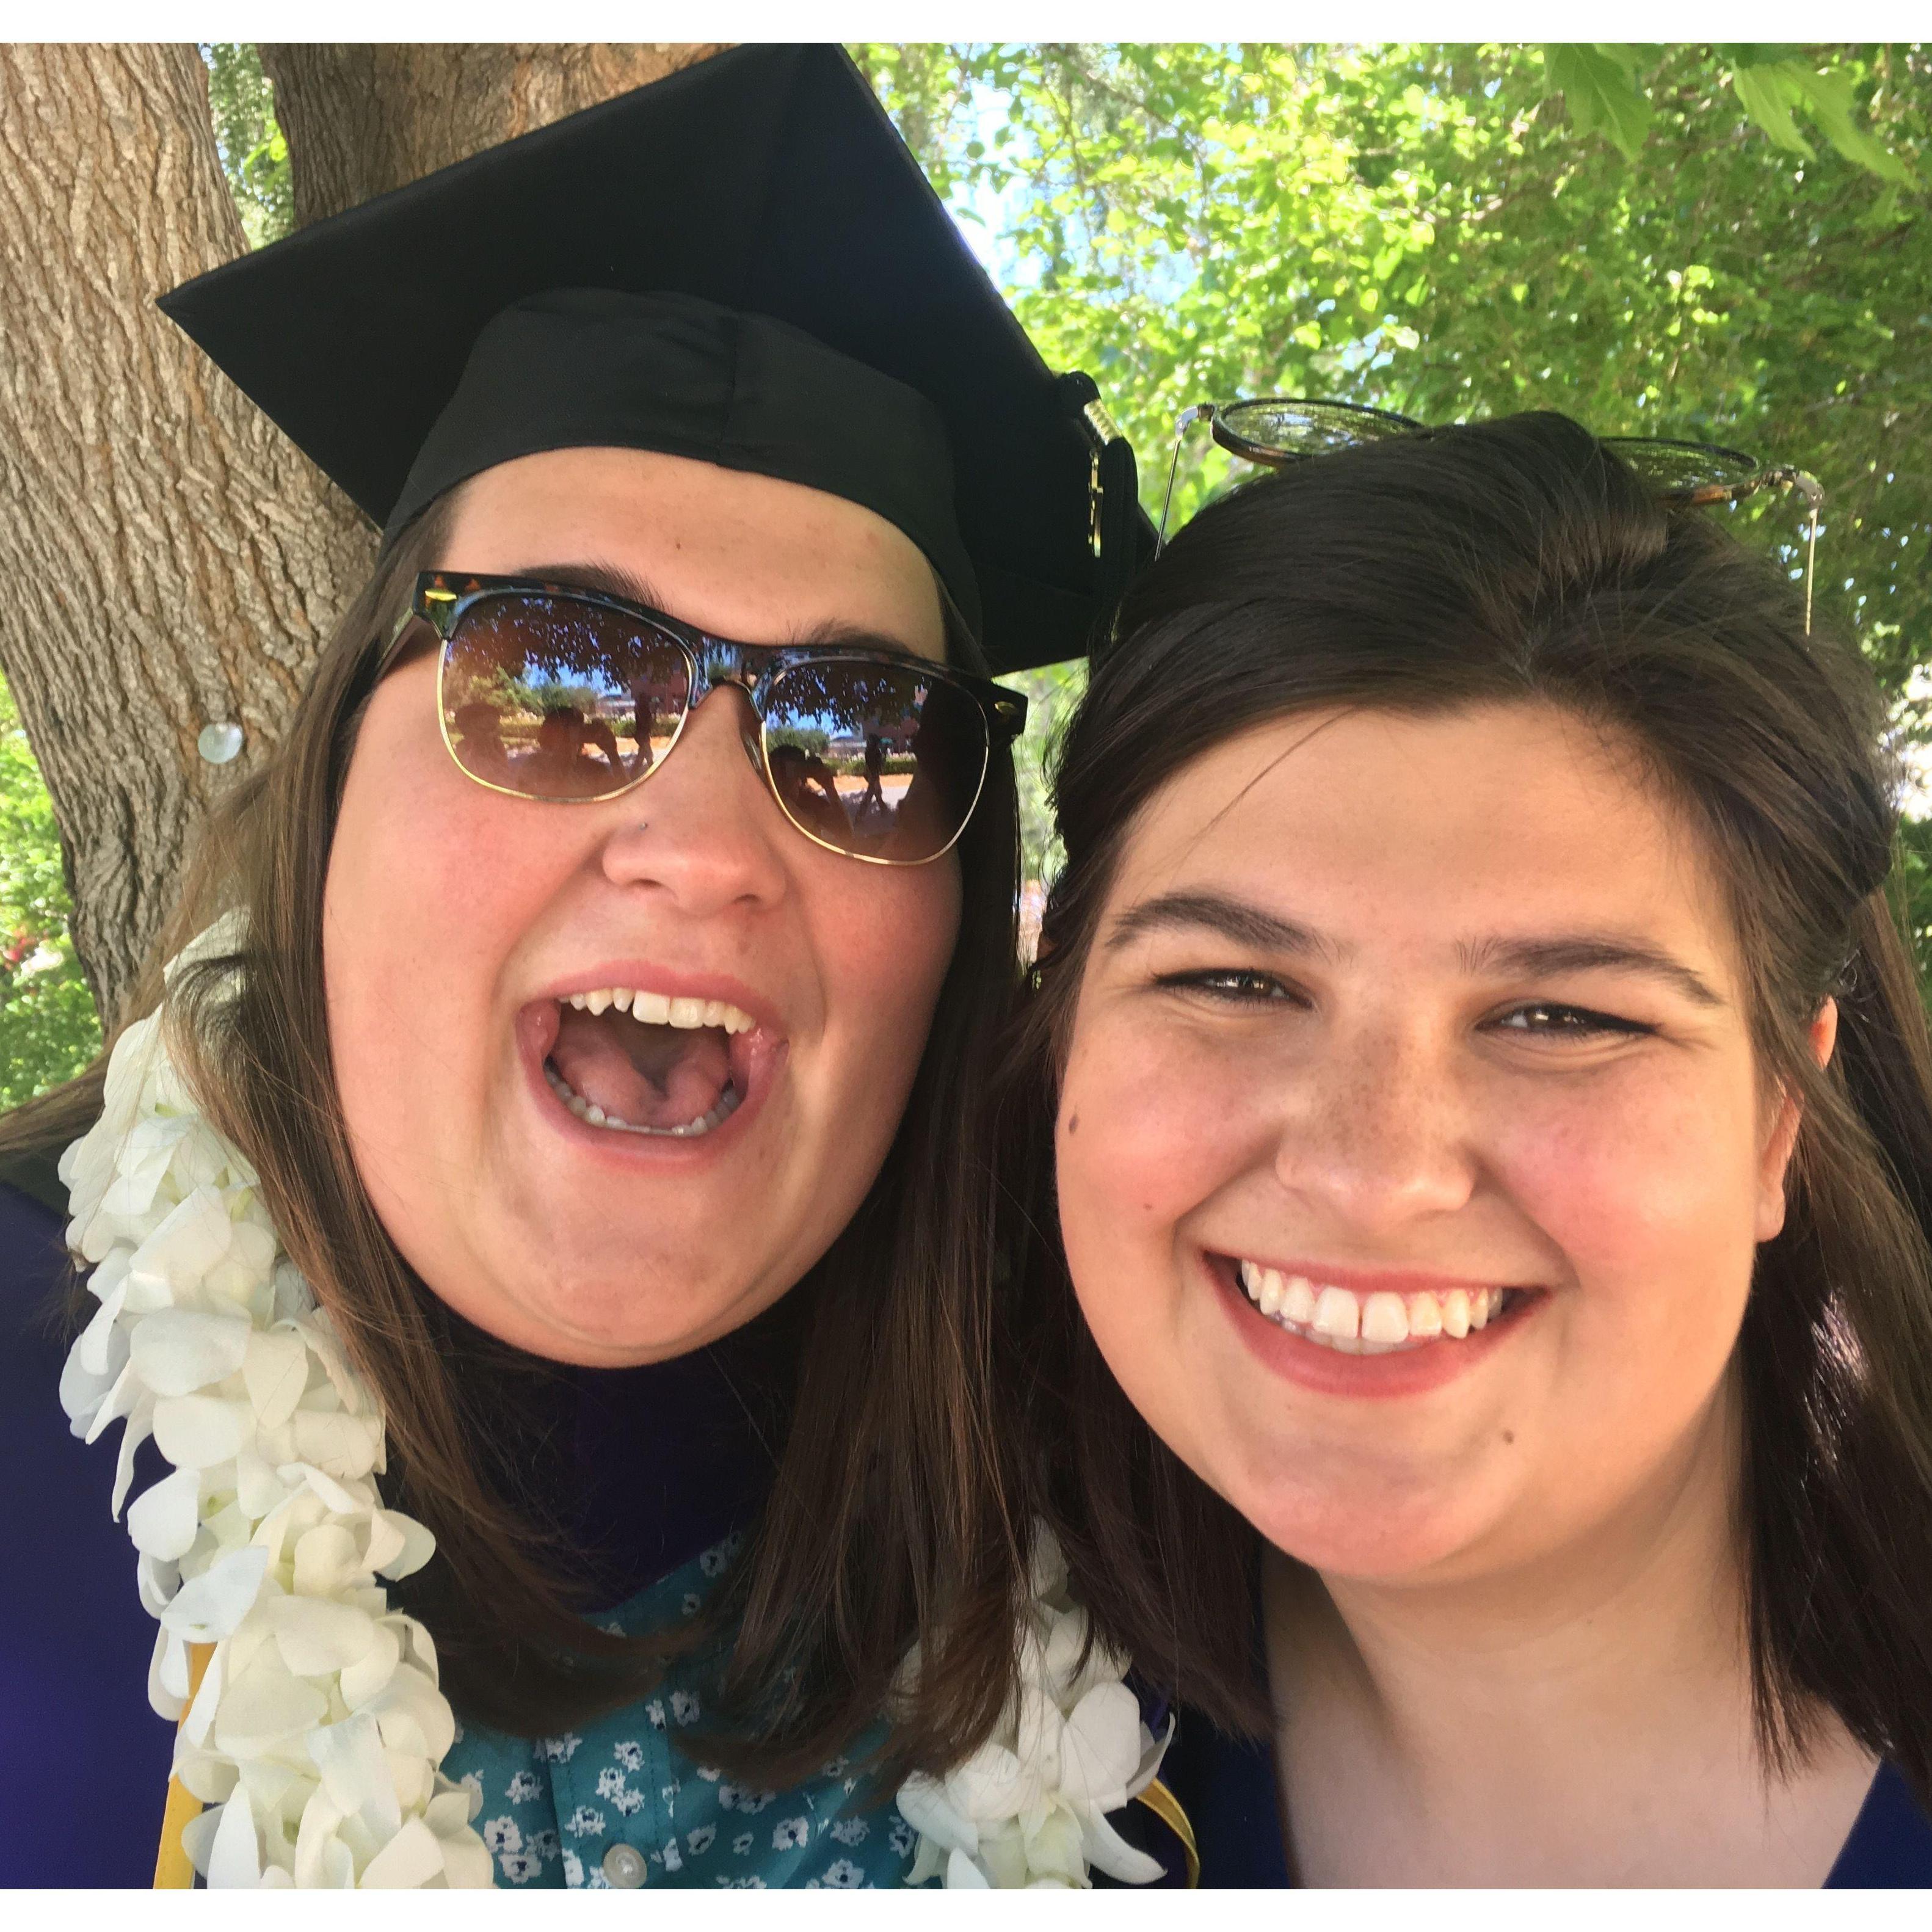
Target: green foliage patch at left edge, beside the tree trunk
{"x": 47, "y": 1017}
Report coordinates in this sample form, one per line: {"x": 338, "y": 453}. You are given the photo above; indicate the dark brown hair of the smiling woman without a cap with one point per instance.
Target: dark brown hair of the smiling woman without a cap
{"x": 1520, "y": 561}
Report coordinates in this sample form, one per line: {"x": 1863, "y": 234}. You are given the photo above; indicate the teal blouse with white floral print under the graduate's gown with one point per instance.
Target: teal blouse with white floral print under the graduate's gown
{"x": 623, "y": 1804}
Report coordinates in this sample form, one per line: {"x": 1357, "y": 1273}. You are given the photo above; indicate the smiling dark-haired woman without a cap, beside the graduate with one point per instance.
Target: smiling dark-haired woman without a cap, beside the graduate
{"x": 1491, "y": 1355}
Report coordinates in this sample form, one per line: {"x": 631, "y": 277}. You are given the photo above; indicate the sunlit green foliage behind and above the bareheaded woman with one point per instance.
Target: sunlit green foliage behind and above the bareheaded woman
{"x": 1435, "y": 231}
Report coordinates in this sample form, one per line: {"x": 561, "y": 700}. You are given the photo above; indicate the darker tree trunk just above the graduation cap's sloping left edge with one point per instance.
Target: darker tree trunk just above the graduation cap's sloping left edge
{"x": 362, "y": 121}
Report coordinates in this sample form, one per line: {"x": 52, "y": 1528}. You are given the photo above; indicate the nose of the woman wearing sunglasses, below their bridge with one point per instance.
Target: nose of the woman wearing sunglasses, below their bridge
{"x": 704, "y": 828}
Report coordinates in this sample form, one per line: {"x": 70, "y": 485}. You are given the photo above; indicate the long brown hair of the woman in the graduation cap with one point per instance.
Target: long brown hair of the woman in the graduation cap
{"x": 888, "y": 1496}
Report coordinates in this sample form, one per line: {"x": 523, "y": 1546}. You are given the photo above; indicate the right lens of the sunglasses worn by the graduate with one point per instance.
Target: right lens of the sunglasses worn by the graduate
{"x": 874, "y": 760}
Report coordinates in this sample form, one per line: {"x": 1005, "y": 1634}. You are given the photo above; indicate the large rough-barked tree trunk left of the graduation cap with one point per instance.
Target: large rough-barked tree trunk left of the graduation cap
{"x": 169, "y": 559}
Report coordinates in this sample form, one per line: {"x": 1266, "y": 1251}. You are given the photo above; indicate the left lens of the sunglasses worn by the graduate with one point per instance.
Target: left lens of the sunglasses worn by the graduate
{"x": 559, "y": 698}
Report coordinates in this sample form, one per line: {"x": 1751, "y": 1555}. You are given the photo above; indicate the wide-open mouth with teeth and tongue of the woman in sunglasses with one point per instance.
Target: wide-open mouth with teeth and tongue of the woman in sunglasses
{"x": 640, "y": 1064}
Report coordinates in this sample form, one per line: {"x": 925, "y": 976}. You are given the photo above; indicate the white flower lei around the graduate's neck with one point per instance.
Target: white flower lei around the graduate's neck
{"x": 318, "y": 1732}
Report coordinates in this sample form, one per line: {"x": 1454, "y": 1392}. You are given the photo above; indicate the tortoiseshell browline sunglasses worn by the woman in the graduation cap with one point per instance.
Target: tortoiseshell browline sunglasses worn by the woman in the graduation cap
{"x": 571, "y": 696}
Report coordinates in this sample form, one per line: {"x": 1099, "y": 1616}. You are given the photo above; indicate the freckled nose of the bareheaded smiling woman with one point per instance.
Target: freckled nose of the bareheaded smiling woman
{"x": 1375, "y": 1135}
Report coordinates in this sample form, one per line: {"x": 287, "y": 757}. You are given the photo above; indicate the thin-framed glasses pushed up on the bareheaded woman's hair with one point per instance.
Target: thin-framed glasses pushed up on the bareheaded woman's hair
{"x": 1290, "y": 430}
